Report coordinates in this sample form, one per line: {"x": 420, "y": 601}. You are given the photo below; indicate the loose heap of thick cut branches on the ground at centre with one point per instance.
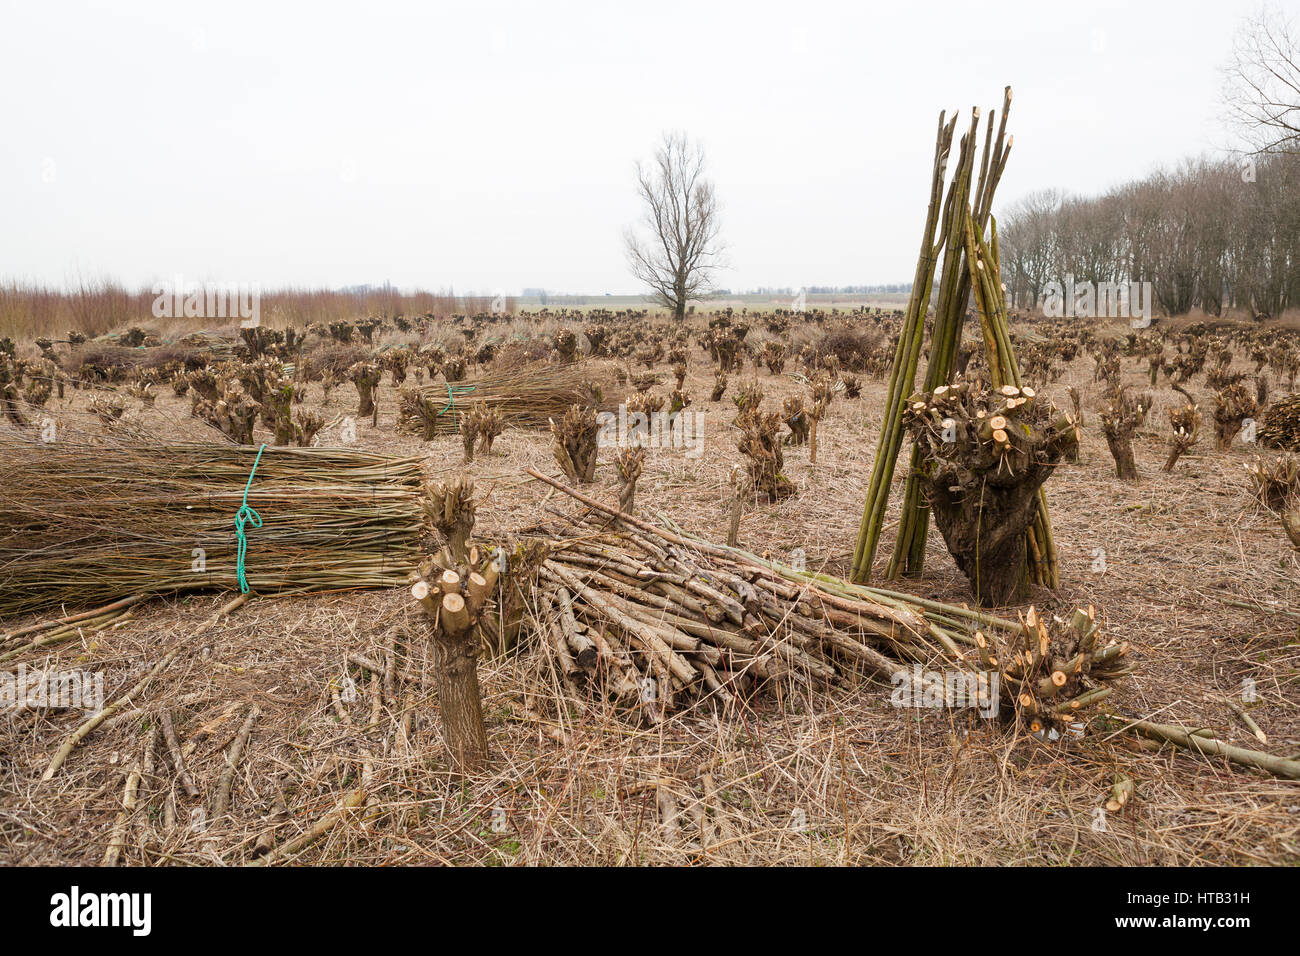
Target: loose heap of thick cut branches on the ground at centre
{"x": 638, "y": 613}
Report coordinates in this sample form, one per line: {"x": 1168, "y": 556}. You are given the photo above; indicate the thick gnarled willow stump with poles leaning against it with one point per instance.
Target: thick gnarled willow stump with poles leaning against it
{"x": 983, "y": 457}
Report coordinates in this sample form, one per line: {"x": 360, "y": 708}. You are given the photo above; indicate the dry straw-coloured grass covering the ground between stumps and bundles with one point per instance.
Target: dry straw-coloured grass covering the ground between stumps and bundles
{"x": 1198, "y": 578}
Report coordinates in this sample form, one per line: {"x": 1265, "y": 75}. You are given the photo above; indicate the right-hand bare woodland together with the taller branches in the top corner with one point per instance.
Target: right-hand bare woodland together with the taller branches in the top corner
{"x": 1211, "y": 235}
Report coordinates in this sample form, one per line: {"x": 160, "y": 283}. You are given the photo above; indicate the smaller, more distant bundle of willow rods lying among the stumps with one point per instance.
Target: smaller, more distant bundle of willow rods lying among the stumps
{"x": 527, "y": 396}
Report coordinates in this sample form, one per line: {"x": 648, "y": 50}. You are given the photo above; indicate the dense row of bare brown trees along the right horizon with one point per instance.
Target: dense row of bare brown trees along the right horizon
{"x": 1214, "y": 235}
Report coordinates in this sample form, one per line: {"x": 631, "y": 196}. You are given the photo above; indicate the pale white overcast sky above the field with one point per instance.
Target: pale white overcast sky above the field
{"x": 492, "y": 146}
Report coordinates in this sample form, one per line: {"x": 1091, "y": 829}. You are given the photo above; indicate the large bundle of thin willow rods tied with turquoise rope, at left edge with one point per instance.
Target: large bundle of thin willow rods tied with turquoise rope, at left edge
{"x": 84, "y": 525}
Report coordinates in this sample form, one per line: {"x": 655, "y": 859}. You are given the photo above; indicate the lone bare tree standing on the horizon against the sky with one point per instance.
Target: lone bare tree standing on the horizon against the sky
{"x": 679, "y": 257}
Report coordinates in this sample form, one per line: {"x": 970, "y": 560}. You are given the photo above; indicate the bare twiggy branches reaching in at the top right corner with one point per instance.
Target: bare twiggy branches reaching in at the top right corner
{"x": 1263, "y": 94}
